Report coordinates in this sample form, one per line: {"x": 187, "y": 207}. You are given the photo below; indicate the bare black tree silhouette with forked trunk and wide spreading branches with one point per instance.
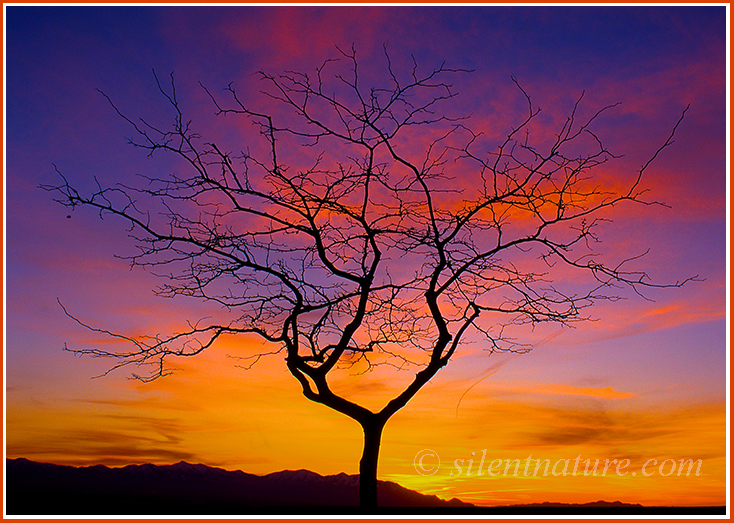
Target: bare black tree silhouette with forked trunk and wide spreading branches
{"x": 405, "y": 234}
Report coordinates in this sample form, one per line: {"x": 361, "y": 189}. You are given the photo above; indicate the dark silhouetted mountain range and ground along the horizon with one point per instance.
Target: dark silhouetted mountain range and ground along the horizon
{"x": 186, "y": 489}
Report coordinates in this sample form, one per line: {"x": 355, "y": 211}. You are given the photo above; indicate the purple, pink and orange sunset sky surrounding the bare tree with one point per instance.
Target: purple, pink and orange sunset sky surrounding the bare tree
{"x": 646, "y": 380}
